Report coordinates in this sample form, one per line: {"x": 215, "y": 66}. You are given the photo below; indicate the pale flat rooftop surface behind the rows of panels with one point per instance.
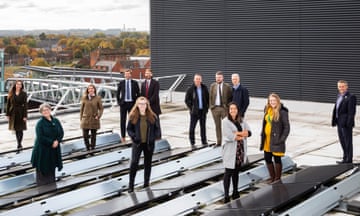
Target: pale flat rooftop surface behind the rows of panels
{"x": 312, "y": 140}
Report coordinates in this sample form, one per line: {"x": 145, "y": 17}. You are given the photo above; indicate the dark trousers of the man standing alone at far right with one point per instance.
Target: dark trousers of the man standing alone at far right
{"x": 345, "y": 138}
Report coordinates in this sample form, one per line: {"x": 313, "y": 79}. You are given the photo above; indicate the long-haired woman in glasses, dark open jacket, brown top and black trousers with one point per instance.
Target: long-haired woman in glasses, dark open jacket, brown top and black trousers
{"x": 143, "y": 128}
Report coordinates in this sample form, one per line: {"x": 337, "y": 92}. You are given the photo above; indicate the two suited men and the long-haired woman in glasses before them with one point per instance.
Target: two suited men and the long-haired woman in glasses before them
{"x": 142, "y": 105}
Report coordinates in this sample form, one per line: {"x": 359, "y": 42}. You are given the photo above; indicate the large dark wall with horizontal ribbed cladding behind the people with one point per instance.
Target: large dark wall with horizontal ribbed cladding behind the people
{"x": 298, "y": 49}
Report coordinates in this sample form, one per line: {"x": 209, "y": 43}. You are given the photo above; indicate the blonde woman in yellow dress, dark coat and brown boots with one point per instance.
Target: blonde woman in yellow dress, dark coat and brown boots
{"x": 275, "y": 130}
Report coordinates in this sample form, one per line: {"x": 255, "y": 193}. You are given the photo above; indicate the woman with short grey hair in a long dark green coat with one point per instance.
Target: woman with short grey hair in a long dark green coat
{"x": 46, "y": 155}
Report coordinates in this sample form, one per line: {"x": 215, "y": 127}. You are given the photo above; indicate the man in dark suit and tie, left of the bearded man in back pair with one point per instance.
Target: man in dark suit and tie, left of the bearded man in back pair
{"x": 127, "y": 93}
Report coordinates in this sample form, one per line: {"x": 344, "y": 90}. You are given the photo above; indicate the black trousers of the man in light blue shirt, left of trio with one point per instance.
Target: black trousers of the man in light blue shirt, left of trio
{"x": 194, "y": 118}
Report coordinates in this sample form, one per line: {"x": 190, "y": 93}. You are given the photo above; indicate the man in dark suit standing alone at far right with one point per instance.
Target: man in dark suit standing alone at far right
{"x": 344, "y": 118}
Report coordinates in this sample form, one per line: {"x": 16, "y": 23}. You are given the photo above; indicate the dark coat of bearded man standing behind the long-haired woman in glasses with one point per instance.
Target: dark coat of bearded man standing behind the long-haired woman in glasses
{"x": 153, "y": 95}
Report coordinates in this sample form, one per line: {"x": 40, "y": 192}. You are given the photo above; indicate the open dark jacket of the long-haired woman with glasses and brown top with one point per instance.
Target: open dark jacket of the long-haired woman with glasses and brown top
{"x": 153, "y": 132}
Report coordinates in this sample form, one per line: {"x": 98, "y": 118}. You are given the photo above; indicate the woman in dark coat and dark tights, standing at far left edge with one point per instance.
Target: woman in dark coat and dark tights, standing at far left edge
{"x": 16, "y": 111}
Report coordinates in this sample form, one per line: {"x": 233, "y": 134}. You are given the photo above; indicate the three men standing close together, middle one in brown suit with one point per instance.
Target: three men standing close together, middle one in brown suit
{"x": 199, "y": 100}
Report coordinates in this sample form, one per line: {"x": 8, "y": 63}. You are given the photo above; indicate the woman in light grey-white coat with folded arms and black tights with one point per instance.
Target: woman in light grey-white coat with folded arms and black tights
{"x": 234, "y": 148}
